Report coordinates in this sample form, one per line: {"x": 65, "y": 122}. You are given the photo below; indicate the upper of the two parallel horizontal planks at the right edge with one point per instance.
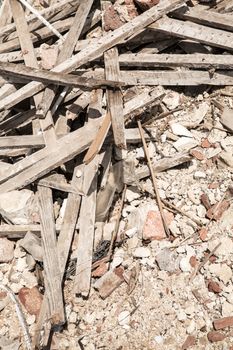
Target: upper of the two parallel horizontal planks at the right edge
{"x": 207, "y": 61}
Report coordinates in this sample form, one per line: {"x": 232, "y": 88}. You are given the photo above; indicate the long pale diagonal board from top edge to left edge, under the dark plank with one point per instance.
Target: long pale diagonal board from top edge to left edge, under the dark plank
{"x": 96, "y": 50}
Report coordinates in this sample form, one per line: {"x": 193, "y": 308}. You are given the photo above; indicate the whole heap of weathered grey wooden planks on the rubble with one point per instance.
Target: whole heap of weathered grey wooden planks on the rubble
{"x": 65, "y": 101}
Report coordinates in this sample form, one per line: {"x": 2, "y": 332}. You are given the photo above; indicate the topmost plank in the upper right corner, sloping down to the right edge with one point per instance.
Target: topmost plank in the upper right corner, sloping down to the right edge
{"x": 204, "y": 17}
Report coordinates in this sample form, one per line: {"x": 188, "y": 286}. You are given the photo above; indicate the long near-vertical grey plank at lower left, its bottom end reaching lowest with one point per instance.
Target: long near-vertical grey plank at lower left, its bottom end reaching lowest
{"x": 50, "y": 257}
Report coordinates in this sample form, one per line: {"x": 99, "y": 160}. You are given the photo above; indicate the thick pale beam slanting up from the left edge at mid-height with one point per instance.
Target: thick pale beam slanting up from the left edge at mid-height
{"x": 42, "y": 162}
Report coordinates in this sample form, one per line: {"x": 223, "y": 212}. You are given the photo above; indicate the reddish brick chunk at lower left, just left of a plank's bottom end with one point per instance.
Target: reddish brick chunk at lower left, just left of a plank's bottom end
{"x": 31, "y": 298}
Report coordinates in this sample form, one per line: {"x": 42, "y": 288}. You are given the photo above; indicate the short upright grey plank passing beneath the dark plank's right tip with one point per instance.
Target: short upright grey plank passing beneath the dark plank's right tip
{"x": 115, "y": 101}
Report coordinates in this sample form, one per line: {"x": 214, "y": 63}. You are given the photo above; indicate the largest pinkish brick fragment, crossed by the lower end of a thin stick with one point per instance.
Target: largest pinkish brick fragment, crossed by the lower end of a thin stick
{"x": 153, "y": 228}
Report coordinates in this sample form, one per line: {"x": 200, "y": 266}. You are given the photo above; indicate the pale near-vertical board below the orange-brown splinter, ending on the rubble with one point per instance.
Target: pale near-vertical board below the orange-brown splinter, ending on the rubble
{"x": 86, "y": 232}
